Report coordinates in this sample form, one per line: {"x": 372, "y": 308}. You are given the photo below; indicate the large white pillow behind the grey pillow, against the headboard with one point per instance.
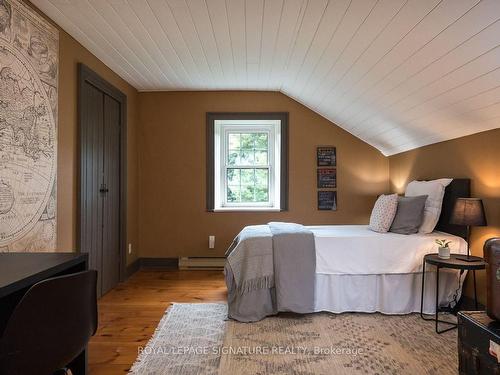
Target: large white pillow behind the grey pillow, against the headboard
{"x": 435, "y": 192}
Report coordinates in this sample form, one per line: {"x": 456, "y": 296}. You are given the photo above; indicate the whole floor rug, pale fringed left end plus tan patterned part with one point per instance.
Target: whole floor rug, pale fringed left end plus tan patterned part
{"x": 196, "y": 339}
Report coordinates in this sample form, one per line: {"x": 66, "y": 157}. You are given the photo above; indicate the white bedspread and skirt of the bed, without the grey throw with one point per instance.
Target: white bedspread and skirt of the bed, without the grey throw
{"x": 380, "y": 272}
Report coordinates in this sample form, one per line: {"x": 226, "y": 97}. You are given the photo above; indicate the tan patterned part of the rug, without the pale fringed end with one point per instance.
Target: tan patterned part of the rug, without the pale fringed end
{"x": 351, "y": 343}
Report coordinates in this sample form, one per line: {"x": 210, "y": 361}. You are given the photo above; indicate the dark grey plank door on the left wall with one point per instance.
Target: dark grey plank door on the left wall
{"x": 101, "y": 183}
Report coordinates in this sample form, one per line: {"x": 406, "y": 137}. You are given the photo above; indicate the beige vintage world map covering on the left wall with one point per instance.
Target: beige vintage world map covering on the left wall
{"x": 28, "y": 129}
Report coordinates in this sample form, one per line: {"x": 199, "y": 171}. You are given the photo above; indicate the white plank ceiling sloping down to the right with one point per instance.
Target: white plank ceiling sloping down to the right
{"x": 398, "y": 74}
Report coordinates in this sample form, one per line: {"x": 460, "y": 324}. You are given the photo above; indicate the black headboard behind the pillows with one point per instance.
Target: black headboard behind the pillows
{"x": 459, "y": 188}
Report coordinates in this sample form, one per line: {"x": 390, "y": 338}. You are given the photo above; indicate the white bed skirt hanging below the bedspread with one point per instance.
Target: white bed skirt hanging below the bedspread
{"x": 386, "y": 293}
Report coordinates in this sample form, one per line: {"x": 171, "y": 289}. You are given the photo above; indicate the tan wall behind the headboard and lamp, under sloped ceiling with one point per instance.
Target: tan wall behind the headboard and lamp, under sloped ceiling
{"x": 476, "y": 157}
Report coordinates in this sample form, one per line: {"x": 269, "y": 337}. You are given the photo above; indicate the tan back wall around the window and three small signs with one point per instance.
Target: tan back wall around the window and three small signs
{"x": 173, "y": 220}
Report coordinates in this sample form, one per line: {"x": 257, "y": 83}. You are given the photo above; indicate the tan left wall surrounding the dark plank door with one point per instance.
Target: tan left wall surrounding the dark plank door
{"x": 70, "y": 54}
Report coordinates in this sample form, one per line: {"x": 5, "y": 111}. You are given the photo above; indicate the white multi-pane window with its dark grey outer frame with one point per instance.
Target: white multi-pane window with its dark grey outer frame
{"x": 245, "y": 153}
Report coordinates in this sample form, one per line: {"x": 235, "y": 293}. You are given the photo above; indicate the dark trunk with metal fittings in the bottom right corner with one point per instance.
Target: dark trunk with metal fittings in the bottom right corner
{"x": 478, "y": 343}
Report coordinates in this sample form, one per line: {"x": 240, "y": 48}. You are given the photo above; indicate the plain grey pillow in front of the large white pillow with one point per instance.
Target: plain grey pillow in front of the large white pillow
{"x": 409, "y": 215}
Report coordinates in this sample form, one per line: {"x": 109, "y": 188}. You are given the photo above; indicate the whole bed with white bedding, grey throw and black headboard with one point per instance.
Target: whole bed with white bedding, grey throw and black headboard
{"x": 354, "y": 270}
